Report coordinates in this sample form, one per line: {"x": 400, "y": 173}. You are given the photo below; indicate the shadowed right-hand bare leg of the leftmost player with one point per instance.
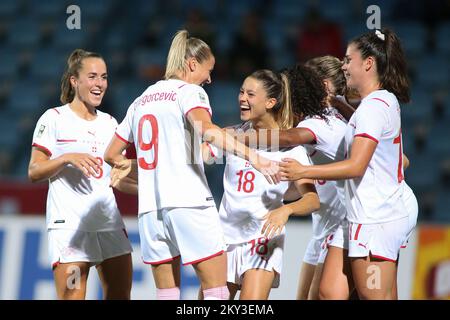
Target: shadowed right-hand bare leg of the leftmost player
{"x": 116, "y": 277}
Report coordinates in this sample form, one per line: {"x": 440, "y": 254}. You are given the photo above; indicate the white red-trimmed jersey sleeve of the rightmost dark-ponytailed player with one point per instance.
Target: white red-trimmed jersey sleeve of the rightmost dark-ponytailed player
{"x": 371, "y": 119}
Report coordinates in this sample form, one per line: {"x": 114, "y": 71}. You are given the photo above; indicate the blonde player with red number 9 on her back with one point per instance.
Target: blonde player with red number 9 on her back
{"x": 177, "y": 214}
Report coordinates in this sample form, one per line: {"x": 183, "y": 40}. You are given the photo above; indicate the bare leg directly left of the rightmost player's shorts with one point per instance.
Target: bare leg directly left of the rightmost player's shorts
{"x": 336, "y": 281}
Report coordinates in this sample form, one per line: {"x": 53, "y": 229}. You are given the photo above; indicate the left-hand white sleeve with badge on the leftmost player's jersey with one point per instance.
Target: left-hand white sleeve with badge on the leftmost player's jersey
{"x": 44, "y": 136}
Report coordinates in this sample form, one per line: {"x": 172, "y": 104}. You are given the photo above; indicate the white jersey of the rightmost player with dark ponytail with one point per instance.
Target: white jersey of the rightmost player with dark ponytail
{"x": 375, "y": 197}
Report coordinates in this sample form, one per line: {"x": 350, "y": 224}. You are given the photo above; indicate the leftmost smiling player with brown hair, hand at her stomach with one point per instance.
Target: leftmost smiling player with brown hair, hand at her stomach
{"x": 84, "y": 224}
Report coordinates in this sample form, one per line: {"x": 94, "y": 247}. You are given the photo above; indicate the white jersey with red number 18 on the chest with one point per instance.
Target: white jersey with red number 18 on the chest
{"x": 248, "y": 196}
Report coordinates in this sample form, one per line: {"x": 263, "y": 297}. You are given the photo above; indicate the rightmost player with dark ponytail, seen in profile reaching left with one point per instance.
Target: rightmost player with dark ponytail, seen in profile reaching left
{"x": 376, "y": 207}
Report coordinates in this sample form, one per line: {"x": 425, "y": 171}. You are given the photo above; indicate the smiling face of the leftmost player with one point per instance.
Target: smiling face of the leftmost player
{"x": 91, "y": 83}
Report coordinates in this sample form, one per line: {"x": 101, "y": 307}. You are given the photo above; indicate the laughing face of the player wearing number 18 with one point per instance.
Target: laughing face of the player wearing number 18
{"x": 253, "y": 100}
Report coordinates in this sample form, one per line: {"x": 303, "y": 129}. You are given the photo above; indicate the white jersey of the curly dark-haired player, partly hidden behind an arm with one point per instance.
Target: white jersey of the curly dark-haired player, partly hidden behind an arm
{"x": 329, "y": 147}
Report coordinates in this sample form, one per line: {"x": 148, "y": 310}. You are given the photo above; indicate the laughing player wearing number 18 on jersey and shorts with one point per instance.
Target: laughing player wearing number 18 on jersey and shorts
{"x": 252, "y": 212}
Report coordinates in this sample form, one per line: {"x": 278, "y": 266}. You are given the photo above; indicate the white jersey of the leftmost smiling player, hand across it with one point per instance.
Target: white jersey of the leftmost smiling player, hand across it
{"x": 75, "y": 201}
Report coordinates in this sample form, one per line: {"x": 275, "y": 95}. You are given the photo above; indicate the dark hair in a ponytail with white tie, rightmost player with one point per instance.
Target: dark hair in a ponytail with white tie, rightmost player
{"x": 385, "y": 47}
